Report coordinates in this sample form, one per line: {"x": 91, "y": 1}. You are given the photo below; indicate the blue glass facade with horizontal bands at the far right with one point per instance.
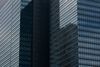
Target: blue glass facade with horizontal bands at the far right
{"x": 89, "y": 33}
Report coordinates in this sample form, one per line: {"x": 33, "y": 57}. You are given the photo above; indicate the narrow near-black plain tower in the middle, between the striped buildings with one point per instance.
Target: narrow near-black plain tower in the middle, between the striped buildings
{"x": 41, "y": 33}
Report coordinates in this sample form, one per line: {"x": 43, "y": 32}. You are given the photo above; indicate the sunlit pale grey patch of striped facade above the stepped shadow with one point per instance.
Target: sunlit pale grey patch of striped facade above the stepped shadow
{"x": 68, "y": 12}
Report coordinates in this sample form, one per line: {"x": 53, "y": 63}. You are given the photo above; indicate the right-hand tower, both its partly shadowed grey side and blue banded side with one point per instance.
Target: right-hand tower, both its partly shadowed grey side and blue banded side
{"x": 75, "y": 33}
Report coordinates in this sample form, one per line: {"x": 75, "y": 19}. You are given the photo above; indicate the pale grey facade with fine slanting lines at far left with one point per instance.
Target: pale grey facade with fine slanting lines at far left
{"x": 9, "y": 33}
